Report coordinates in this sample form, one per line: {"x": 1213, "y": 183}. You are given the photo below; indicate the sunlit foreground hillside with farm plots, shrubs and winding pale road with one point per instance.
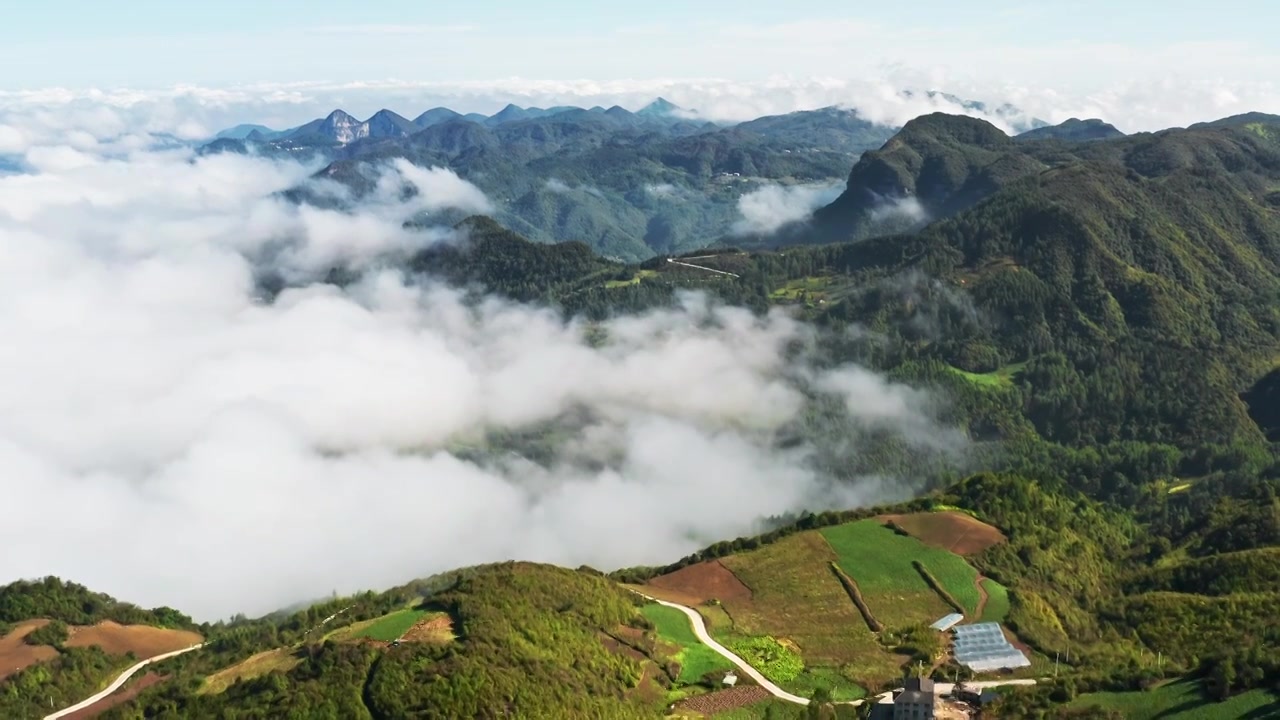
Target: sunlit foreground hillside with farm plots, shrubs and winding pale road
{"x": 1063, "y": 573}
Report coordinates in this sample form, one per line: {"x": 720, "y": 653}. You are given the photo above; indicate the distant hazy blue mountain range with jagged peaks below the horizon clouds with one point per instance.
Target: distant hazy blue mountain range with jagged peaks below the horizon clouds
{"x": 630, "y": 185}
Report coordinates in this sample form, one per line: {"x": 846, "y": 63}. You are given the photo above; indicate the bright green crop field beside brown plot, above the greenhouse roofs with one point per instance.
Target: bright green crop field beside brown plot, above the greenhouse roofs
{"x": 880, "y": 562}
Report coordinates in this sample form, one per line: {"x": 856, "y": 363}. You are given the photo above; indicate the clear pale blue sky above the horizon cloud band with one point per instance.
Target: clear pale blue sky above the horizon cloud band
{"x": 1072, "y": 44}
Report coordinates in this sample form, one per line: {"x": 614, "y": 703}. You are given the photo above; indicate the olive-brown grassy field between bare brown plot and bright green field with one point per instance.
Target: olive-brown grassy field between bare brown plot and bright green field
{"x": 797, "y": 598}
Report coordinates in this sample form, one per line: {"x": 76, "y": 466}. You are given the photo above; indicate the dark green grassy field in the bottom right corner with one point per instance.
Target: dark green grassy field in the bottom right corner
{"x": 1183, "y": 700}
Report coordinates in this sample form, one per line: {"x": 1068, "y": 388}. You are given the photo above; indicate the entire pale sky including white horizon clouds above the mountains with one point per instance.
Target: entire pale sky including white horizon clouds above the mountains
{"x": 198, "y": 67}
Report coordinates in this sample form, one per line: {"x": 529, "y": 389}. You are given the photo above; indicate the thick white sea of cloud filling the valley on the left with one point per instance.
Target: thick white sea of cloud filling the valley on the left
{"x": 171, "y": 438}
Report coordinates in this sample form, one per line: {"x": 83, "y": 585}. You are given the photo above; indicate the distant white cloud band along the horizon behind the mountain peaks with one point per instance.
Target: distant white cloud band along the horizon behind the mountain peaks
{"x": 124, "y": 120}
